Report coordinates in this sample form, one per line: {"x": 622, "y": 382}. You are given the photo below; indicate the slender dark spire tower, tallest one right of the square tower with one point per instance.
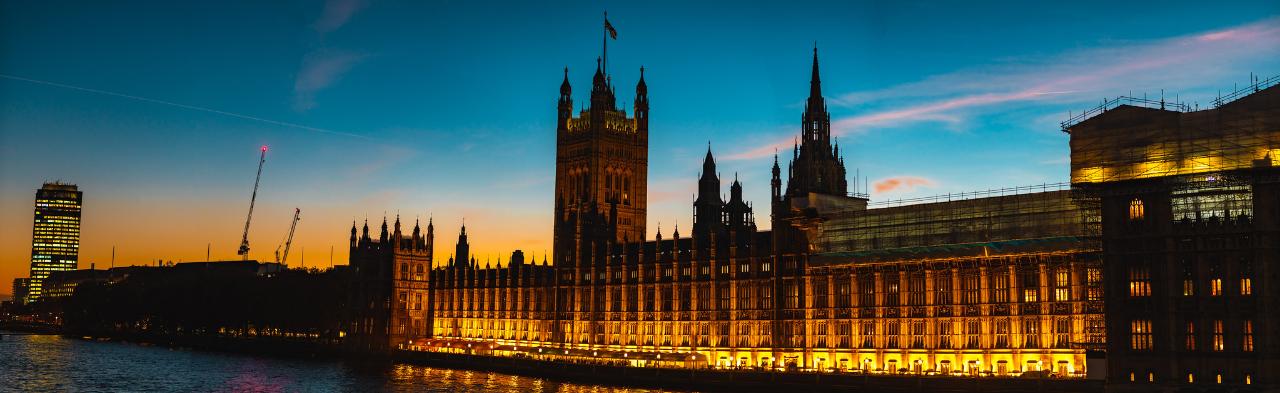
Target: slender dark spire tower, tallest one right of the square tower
{"x": 816, "y": 164}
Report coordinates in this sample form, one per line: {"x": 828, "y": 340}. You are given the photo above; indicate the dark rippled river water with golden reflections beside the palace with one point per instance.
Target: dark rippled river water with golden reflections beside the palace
{"x": 57, "y": 364}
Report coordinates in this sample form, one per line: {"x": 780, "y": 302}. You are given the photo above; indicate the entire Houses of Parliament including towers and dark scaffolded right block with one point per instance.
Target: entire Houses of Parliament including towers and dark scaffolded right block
{"x": 1154, "y": 266}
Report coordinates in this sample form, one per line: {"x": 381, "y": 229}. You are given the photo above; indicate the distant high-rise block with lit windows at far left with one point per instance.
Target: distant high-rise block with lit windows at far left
{"x": 56, "y": 235}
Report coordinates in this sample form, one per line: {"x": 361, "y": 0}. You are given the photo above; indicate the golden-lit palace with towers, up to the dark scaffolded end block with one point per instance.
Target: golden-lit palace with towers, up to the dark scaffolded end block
{"x": 980, "y": 285}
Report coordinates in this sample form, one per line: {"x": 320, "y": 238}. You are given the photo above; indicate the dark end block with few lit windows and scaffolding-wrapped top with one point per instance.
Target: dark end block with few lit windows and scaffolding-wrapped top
{"x": 1191, "y": 239}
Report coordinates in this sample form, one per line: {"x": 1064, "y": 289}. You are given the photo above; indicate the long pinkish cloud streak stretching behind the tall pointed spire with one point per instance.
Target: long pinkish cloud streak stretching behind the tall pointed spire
{"x": 1076, "y": 77}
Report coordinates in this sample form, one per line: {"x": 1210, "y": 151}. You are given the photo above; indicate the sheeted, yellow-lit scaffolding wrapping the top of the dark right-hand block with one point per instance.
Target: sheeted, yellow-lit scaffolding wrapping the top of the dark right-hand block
{"x": 1131, "y": 139}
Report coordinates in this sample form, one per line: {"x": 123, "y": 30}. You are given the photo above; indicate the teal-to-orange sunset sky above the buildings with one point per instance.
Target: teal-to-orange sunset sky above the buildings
{"x": 446, "y": 111}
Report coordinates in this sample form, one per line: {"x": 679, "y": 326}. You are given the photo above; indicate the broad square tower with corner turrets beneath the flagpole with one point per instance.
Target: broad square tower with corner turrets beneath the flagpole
{"x": 602, "y": 161}
